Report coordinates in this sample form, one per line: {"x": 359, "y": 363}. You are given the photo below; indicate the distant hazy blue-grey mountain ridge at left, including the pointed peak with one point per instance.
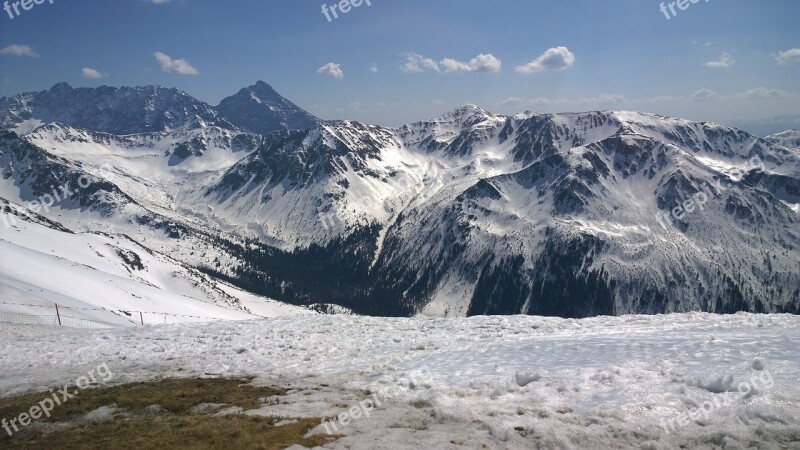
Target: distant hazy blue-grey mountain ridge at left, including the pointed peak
{"x": 131, "y": 110}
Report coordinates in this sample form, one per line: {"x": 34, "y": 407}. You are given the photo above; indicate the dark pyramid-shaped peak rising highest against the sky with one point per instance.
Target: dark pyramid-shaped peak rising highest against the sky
{"x": 260, "y": 109}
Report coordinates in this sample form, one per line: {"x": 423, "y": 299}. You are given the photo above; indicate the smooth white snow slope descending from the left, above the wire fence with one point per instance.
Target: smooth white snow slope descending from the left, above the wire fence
{"x": 82, "y": 272}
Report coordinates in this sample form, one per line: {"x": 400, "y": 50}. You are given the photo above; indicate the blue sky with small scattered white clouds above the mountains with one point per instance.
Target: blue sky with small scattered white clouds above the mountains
{"x": 392, "y": 62}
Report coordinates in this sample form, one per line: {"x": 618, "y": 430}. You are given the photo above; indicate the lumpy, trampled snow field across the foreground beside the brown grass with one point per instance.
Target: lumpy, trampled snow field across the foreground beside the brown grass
{"x": 654, "y": 382}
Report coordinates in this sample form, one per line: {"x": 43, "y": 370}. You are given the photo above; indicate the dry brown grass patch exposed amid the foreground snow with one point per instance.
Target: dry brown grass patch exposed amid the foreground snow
{"x": 172, "y": 426}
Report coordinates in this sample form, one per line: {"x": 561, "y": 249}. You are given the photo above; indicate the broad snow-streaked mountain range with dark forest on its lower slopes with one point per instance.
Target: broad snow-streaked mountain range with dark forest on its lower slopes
{"x": 468, "y": 213}
